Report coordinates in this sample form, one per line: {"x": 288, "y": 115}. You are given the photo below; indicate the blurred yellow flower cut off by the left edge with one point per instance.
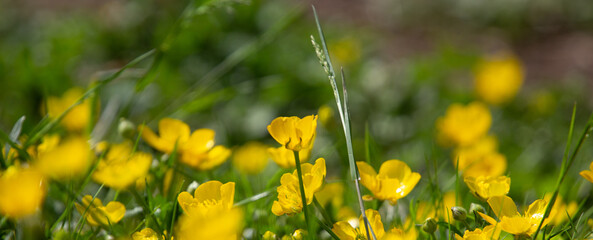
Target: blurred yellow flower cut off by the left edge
{"x": 22, "y": 191}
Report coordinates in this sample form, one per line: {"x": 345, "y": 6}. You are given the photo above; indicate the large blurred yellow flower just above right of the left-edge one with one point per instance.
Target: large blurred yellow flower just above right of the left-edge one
{"x": 65, "y": 159}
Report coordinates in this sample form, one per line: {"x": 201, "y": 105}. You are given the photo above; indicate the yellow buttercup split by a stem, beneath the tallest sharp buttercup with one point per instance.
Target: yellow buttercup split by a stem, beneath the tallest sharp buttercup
{"x": 289, "y": 195}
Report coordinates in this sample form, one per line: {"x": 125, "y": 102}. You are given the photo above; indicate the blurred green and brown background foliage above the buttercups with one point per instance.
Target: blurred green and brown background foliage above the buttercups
{"x": 236, "y": 65}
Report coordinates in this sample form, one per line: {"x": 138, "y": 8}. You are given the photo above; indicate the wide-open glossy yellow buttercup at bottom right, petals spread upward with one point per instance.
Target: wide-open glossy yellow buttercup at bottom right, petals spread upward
{"x": 513, "y": 222}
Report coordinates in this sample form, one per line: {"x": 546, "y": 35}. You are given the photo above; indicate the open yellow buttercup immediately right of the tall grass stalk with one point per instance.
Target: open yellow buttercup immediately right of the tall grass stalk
{"x": 394, "y": 181}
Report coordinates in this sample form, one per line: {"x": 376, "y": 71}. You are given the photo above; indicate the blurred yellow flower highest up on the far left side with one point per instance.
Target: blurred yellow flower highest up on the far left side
{"x": 78, "y": 117}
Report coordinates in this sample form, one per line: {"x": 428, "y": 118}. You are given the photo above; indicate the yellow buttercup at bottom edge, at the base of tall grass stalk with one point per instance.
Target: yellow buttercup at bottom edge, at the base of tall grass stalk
{"x": 345, "y": 231}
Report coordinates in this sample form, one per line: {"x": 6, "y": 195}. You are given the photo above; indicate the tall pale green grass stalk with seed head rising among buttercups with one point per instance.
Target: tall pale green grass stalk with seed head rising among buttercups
{"x": 325, "y": 60}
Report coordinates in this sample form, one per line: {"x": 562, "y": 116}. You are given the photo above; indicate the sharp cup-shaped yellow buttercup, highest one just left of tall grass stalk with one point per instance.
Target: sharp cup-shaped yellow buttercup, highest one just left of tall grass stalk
{"x": 293, "y": 132}
